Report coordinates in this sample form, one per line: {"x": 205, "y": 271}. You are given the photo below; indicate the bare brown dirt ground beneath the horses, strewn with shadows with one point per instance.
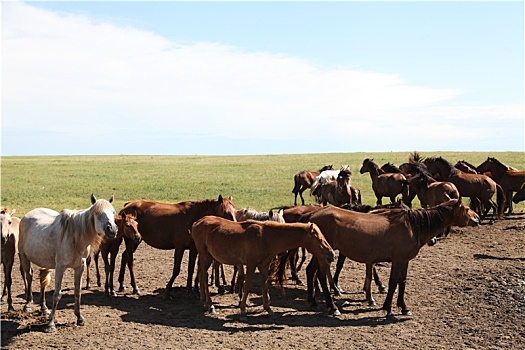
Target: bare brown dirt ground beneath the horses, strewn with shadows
{"x": 466, "y": 292}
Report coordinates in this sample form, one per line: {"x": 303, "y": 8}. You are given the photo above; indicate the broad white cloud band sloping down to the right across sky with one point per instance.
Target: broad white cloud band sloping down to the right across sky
{"x": 70, "y": 70}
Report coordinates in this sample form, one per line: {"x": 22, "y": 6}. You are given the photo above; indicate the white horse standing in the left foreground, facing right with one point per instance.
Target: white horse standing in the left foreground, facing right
{"x": 58, "y": 241}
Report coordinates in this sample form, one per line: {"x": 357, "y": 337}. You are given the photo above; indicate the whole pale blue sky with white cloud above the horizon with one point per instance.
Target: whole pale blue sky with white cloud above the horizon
{"x": 261, "y": 77}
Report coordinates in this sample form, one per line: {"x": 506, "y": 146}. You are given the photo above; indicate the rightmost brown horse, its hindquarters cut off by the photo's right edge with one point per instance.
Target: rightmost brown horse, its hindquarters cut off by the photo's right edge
{"x": 510, "y": 180}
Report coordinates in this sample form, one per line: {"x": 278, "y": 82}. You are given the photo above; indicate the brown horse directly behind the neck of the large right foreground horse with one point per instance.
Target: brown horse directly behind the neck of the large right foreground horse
{"x": 429, "y": 191}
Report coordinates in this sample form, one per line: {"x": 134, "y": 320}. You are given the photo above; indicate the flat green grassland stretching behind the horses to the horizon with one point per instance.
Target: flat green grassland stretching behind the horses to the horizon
{"x": 260, "y": 182}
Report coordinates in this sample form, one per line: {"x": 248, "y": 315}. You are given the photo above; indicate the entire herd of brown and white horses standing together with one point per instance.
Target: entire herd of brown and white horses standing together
{"x": 216, "y": 233}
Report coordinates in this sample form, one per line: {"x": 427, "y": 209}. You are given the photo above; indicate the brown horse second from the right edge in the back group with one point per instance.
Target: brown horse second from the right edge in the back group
{"x": 480, "y": 188}
